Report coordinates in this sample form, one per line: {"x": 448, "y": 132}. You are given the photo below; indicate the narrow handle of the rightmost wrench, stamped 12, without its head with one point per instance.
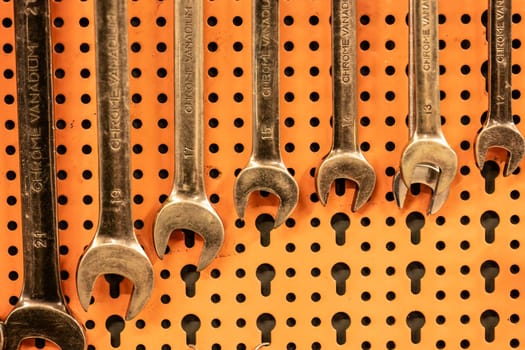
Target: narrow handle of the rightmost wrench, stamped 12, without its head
{"x": 500, "y": 51}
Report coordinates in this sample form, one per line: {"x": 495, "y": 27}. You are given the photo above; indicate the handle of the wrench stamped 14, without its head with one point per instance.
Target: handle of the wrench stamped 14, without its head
{"x": 344, "y": 63}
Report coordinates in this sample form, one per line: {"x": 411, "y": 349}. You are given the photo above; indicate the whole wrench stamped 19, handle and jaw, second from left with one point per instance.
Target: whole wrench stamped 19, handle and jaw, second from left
{"x": 115, "y": 248}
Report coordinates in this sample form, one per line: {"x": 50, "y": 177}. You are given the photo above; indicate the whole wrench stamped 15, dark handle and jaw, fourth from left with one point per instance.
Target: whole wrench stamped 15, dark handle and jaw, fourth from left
{"x": 266, "y": 170}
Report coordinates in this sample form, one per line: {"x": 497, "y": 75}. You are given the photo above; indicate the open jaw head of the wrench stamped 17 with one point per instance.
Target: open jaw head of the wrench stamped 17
{"x": 202, "y": 219}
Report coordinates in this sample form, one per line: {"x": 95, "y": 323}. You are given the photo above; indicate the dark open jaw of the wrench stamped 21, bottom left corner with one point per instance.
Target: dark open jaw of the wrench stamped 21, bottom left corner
{"x": 41, "y": 320}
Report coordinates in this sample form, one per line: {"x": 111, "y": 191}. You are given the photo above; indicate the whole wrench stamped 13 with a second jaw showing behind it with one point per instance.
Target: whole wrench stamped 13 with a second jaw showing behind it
{"x": 427, "y": 158}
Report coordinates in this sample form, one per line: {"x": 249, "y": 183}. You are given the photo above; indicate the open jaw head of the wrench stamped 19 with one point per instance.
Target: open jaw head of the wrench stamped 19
{"x": 109, "y": 256}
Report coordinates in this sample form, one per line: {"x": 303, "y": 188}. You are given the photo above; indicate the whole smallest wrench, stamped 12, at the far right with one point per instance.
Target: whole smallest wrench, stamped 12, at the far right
{"x": 499, "y": 129}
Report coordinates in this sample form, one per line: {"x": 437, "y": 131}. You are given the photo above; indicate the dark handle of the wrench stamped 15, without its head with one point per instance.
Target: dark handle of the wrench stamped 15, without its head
{"x": 265, "y": 60}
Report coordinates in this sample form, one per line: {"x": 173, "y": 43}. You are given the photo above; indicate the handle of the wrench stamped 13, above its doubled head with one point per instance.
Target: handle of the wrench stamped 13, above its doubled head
{"x": 424, "y": 107}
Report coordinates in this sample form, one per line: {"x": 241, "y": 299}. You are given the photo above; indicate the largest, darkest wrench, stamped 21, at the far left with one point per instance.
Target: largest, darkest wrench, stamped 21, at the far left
{"x": 41, "y": 311}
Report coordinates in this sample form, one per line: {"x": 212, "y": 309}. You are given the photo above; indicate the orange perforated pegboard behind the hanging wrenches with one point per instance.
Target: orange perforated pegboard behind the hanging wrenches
{"x": 328, "y": 278}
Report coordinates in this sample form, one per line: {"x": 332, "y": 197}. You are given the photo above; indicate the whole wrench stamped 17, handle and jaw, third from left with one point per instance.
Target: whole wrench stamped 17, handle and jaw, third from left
{"x": 187, "y": 206}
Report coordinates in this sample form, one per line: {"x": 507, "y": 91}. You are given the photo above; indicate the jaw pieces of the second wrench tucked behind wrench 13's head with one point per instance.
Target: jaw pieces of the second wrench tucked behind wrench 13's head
{"x": 427, "y": 175}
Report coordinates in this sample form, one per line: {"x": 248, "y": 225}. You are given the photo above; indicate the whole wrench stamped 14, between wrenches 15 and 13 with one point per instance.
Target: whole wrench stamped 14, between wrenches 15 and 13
{"x": 345, "y": 159}
